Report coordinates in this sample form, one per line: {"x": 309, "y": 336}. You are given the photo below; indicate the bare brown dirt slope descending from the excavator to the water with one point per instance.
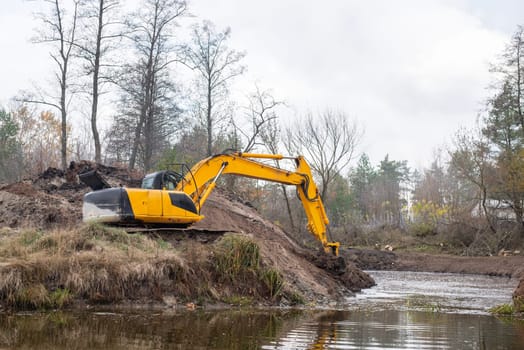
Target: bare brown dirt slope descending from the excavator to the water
{"x": 305, "y": 269}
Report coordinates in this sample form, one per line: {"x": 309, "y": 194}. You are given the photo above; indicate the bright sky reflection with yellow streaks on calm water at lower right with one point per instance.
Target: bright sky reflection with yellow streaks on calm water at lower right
{"x": 403, "y": 330}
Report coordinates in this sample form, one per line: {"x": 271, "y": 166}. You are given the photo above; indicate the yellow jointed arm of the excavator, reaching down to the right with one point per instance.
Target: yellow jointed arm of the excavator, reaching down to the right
{"x": 200, "y": 181}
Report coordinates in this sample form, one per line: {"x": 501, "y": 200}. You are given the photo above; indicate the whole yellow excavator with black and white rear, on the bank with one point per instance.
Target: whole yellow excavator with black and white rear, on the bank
{"x": 170, "y": 199}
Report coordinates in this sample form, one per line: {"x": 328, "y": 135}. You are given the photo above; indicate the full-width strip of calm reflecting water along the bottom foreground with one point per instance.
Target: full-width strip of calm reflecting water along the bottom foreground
{"x": 260, "y": 329}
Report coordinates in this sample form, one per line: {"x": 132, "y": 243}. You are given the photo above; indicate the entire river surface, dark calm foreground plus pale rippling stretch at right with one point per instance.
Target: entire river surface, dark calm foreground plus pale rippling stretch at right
{"x": 405, "y": 311}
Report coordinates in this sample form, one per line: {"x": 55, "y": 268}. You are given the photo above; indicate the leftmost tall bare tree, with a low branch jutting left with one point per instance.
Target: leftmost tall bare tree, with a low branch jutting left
{"x": 59, "y": 31}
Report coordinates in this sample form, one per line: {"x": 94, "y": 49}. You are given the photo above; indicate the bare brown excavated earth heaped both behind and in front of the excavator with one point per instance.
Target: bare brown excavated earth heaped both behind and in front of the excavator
{"x": 54, "y": 200}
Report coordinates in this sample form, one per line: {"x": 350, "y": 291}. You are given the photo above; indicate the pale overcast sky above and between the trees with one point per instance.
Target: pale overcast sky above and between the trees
{"x": 411, "y": 72}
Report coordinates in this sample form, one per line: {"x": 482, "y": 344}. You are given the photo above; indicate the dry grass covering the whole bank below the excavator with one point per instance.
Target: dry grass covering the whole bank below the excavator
{"x": 98, "y": 264}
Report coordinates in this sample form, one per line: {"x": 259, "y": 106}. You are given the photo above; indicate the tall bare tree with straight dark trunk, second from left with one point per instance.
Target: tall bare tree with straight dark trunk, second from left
{"x": 96, "y": 40}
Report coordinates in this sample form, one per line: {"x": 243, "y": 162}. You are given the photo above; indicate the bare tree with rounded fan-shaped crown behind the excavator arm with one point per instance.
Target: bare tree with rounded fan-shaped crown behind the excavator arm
{"x": 328, "y": 141}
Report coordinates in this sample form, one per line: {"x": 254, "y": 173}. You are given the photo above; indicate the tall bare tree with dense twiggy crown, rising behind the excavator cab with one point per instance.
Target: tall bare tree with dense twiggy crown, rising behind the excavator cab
{"x": 147, "y": 84}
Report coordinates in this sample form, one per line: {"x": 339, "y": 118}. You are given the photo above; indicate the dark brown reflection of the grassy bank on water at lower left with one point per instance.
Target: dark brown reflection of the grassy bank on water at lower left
{"x": 184, "y": 330}
